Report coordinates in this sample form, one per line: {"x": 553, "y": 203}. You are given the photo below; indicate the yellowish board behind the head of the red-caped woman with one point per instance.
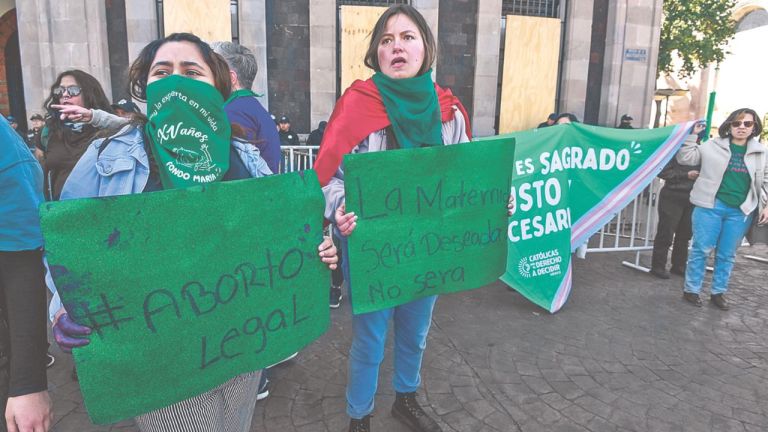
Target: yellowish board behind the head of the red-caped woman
{"x": 356, "y": 25}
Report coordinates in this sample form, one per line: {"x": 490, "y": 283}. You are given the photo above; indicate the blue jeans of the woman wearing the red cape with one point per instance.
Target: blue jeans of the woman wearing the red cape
{"x": 369, "y": 335}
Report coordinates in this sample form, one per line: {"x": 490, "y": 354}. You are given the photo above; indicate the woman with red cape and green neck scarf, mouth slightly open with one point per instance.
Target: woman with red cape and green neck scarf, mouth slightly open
{"x": 400, "y": 107}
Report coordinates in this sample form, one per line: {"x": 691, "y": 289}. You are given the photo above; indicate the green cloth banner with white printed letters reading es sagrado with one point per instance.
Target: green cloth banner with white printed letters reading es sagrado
{"x": 568, "y": 182}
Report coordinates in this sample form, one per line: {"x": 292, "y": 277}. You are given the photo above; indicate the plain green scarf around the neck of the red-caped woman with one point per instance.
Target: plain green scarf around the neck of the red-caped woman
{"x": 413, "y": 109}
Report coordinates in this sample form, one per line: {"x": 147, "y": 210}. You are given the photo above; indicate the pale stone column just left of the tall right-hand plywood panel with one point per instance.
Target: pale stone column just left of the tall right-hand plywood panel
{"x": 485, "y": 98}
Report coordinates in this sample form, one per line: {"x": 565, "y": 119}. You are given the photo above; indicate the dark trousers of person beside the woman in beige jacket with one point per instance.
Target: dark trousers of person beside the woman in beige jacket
{"x": 674, "y": 229}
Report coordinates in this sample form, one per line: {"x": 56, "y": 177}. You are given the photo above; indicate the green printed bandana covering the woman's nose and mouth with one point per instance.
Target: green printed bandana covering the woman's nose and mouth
{"x": 189, "y": 131}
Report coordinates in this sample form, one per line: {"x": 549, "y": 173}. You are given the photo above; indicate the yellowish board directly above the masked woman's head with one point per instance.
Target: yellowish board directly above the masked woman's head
{"x": 208, "y": 19}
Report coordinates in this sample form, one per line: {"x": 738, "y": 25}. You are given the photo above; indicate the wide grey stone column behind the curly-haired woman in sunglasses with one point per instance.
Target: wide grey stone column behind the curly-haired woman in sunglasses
{"x": 56, "y": 35}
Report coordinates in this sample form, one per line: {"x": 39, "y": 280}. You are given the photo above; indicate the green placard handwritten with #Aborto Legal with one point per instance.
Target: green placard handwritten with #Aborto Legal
{"x": 187, "y": 288}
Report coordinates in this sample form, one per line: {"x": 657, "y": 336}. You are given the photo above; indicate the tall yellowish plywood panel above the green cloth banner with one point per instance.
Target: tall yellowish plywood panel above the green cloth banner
{"x": 529, "y": 83}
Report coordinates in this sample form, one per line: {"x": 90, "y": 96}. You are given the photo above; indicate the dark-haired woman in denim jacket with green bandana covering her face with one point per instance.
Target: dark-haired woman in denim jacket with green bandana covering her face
{"x": 146, "y": 155}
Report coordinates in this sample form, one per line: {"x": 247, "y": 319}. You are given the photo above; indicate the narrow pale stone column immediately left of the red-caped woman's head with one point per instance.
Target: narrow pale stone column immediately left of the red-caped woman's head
{"x": 322, "y": 59}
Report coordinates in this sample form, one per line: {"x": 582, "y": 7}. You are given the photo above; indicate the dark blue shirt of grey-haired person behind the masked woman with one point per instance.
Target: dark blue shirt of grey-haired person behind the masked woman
{"x": 260, "y": 129}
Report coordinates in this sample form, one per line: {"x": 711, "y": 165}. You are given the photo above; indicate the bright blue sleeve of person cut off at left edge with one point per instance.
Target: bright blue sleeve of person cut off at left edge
{"x": 21, "y": 192}
